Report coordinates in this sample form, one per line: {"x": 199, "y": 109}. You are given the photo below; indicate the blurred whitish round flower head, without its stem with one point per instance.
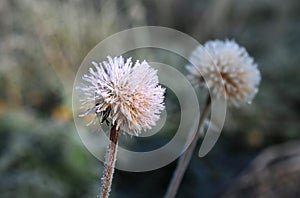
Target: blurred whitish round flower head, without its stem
{"x": 240, "y": 76}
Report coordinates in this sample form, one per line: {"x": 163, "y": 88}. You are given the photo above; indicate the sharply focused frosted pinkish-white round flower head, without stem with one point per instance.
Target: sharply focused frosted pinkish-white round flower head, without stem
{"x": 123, "y": 94}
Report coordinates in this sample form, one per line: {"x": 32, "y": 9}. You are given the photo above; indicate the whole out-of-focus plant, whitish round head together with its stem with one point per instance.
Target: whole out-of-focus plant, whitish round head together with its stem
{"x": 238, "y": 83}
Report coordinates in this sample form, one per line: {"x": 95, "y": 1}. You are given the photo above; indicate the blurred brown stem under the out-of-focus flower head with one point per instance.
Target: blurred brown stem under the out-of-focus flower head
{"x": 185, "y": 158}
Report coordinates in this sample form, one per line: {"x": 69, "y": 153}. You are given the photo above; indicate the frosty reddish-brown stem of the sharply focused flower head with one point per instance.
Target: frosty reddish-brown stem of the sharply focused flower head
{"x": 109, "y": 166}
